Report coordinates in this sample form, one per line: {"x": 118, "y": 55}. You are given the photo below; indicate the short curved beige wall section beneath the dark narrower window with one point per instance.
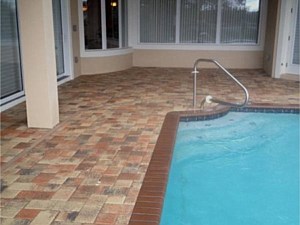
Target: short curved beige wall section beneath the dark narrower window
{"x": 98, "y": 65}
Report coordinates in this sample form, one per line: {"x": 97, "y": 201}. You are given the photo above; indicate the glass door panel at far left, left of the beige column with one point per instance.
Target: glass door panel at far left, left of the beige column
{"x": 11, "y": 76}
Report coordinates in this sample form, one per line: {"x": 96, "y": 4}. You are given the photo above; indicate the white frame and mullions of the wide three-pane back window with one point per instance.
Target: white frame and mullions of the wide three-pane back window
{"x": 259, "y": 46}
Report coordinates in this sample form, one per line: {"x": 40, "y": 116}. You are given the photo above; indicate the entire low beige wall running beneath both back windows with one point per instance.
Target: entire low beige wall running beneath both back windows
{"x": 170, "y": 58}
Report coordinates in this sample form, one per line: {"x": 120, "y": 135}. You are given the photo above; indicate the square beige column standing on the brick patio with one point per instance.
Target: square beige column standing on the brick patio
{"x": 38, "y": 61}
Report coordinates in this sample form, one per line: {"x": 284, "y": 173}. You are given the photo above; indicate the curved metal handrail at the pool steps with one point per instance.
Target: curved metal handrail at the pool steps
{"x": 195, "y": 72}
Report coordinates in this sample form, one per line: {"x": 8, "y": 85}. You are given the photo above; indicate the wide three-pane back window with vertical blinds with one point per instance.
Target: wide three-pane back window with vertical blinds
{"x": 199, "y": 21}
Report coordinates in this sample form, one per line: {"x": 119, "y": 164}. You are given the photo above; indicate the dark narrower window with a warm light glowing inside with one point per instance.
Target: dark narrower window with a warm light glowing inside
{"x": 104, "y": 24}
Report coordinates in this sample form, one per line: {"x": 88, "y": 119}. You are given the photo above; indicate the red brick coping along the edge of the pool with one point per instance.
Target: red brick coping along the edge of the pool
{"x": 149, "y": 204}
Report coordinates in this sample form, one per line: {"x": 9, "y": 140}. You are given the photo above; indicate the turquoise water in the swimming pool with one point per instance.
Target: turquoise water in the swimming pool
{"x": 241, "y": 169}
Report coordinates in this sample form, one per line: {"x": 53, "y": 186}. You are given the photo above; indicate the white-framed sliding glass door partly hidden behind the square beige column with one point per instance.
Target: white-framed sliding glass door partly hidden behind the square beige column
{"x": 12, "y": 91}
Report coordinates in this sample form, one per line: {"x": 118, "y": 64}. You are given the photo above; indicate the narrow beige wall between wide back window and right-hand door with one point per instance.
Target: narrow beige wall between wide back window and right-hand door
{"x": 270, "y": 39}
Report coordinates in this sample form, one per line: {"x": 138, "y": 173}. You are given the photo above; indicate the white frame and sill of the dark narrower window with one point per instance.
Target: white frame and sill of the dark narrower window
{"x": 104, "y": 51}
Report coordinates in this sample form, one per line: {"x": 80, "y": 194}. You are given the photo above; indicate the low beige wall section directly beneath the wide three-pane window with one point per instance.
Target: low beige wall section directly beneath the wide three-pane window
{"x": 186, "y": 58}
